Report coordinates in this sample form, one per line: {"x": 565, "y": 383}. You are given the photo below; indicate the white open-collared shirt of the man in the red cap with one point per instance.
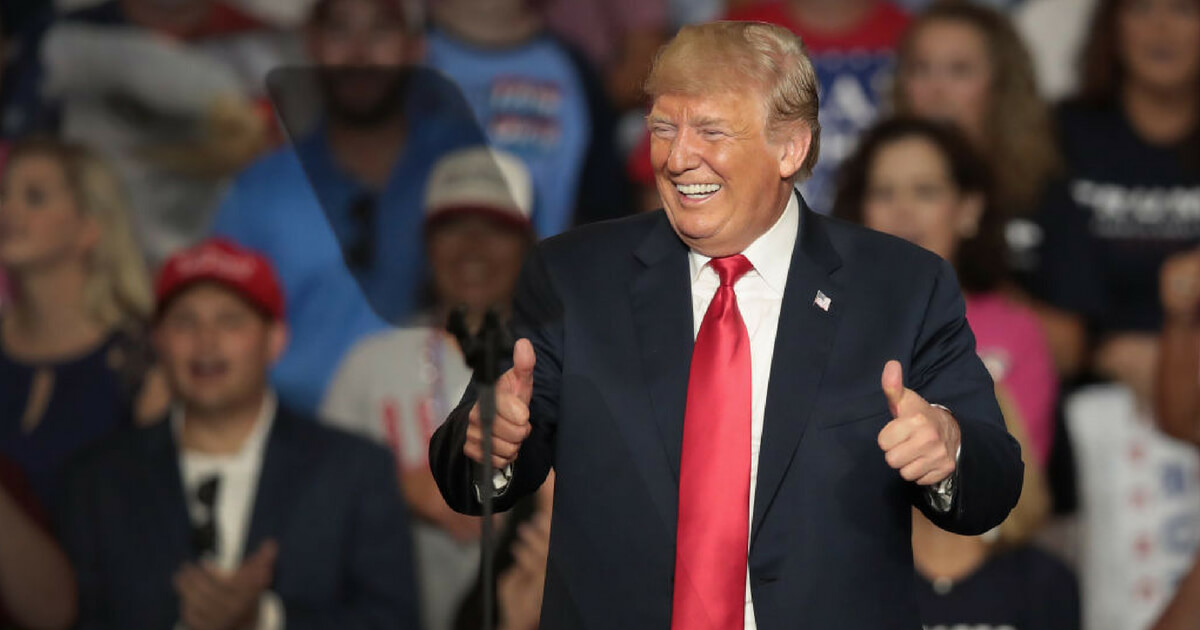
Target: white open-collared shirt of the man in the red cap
{"x": 239, "y": 475}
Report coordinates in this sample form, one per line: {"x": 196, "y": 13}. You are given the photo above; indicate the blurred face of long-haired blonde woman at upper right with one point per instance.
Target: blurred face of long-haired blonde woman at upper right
{"x": 949, "y": 75}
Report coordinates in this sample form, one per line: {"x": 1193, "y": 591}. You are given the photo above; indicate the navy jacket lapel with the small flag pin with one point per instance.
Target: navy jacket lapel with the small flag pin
{"x": 803, "y": 343}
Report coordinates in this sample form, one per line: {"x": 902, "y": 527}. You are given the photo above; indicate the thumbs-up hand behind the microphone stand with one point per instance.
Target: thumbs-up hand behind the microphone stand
{"x": 512, "y": 428}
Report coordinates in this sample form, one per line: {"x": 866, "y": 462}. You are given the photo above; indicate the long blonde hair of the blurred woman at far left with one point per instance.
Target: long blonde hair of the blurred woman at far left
{"x": 118, "y": 290}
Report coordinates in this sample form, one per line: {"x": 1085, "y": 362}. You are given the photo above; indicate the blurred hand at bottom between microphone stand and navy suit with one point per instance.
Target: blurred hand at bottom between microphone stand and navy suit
{"x": 520, "y": 589}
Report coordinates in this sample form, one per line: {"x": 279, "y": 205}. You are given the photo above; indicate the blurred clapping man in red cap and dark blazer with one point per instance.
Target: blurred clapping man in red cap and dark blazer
{"x": 235, "y": 513}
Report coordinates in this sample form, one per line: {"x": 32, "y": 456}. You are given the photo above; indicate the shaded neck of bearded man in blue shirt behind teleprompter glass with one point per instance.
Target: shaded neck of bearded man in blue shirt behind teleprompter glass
{"x": 369, "y": 154}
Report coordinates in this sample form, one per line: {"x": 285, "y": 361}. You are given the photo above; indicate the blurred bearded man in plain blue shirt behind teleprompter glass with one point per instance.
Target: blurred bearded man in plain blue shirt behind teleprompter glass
{"x": 340, "y": 214}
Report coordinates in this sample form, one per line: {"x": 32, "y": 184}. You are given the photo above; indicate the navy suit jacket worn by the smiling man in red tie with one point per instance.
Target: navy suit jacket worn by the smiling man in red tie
{"x": 610, "y": 314}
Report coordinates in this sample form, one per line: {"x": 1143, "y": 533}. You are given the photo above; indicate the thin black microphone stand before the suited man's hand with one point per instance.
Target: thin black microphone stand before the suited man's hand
{"x": 483, "y": 352}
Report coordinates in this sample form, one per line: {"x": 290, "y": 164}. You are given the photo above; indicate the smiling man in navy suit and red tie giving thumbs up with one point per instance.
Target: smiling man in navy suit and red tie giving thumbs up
{"x": 742, "y": 400}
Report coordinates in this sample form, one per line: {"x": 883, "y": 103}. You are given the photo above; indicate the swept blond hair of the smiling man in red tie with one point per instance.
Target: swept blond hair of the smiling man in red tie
{"x": 724, "y": 57}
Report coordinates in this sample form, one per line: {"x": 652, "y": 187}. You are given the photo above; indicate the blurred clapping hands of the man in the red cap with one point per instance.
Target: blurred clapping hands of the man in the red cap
{"x": 214, "y": 601}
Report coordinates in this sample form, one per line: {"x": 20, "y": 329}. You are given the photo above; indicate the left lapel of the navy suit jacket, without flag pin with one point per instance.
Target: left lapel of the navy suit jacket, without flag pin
{"x": 662, "y": 303}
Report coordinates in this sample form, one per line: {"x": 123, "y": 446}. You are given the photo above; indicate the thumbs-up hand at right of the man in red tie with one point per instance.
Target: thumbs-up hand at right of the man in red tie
{"x": 922, "y": 440}
